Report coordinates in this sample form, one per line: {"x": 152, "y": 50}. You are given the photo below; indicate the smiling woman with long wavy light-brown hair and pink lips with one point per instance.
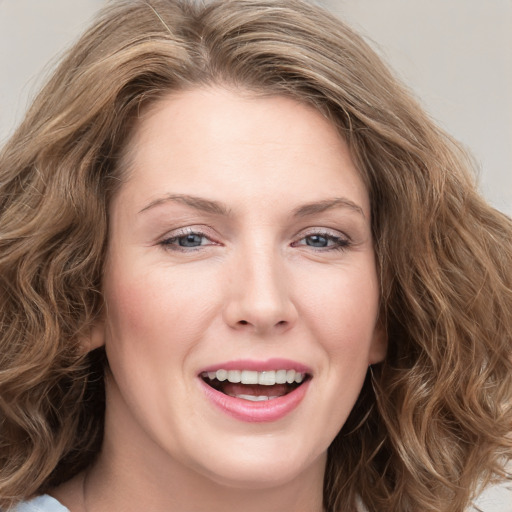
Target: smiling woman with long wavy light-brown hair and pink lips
{"x": 241, "y": 270}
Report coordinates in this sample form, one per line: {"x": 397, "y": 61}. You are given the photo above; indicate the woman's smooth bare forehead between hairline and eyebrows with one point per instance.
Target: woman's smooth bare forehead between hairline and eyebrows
{"x": 209, "y": 140}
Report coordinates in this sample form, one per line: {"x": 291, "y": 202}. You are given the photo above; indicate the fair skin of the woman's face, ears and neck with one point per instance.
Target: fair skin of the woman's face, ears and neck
{"x": 240, "y": 238}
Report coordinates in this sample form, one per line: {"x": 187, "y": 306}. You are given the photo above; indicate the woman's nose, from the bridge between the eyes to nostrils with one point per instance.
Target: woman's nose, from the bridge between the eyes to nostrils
{"x": 259, "y": 294}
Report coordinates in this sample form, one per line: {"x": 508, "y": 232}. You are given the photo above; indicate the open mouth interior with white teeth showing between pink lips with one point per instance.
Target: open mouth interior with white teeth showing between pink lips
{"x": 255, "y": 386}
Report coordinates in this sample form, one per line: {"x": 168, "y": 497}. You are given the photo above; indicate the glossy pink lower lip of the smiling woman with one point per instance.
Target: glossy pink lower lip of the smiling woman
{"x": 253, "y": 412}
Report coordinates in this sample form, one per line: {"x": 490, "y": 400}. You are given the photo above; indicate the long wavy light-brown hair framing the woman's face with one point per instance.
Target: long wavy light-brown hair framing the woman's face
{"x": 432, "y": 424}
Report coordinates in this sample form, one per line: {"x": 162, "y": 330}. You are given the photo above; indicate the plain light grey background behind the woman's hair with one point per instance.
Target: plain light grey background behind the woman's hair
{"x": 456, "y": 55}
